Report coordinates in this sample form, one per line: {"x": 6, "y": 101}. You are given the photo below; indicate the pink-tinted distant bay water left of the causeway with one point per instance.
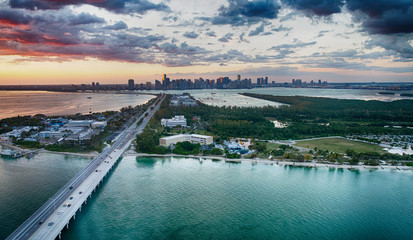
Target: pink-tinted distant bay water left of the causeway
{"x": 13, "y": 103}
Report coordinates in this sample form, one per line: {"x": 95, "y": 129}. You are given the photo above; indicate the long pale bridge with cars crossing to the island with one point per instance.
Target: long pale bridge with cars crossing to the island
{"x": 50, "y": 219}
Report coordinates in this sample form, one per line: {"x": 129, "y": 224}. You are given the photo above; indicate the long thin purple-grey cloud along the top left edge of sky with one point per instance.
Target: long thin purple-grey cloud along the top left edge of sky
{"x": 121, "y": 6}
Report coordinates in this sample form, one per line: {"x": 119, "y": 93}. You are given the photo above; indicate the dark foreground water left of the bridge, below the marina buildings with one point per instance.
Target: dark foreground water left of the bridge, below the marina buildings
{"x": 26, "y": 184}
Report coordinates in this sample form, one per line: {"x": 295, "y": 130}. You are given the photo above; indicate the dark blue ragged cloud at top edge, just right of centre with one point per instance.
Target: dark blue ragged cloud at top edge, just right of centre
{"x": 241, "y": 12}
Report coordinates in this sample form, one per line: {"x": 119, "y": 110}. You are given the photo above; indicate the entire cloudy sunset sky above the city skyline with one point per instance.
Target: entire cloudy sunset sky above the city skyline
{"x": 111, "y": 41}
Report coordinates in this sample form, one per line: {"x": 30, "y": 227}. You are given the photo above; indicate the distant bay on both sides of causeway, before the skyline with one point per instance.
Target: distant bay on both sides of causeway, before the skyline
{"x": 13, "y": 103}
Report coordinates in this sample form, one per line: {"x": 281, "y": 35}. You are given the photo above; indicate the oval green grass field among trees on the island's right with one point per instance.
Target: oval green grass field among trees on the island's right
{"x": 339, "y": 145}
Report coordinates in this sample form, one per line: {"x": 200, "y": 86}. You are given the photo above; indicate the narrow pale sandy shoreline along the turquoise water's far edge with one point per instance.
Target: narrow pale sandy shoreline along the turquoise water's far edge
{"x": 280, "y": 163}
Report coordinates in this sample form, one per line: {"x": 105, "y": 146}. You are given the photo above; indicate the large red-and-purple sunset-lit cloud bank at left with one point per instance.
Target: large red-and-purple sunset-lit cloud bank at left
{"x": 62, "y": 35}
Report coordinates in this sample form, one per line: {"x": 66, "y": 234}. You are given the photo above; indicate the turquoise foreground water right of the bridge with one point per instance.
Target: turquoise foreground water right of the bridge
{"x": 148, "y": 198}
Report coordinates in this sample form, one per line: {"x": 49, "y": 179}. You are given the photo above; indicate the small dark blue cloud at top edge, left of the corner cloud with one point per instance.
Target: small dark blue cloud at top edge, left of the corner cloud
{"x": 316, "y": 7}
